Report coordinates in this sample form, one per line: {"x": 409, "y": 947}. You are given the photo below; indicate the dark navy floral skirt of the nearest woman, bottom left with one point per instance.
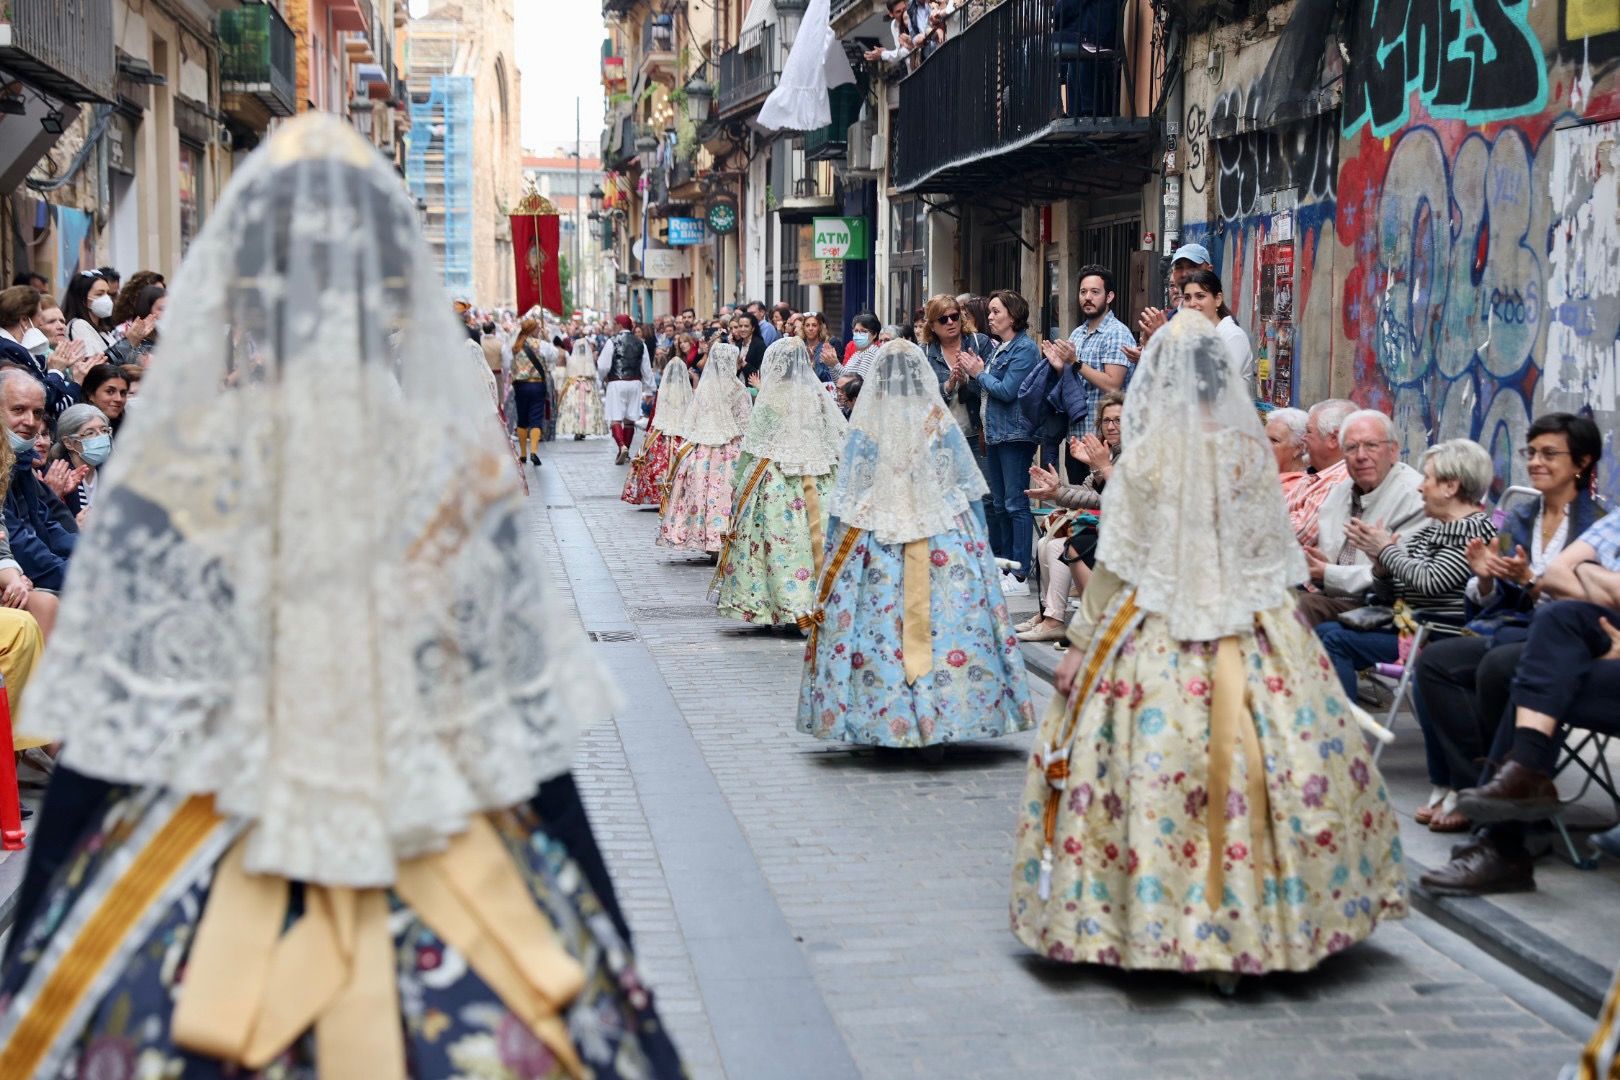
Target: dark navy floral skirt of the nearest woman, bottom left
{"x": 450, "y": 1021}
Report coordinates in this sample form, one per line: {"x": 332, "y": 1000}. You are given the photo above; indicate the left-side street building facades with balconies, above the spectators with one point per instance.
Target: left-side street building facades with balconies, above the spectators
{"x": 151, "y": 104}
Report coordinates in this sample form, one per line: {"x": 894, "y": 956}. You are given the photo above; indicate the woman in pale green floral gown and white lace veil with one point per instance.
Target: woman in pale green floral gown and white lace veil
{"x": 778, "y": 522}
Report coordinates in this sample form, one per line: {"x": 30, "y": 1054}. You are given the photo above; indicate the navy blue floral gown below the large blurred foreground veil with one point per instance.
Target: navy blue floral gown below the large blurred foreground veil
{"x": 451, "y": 1023}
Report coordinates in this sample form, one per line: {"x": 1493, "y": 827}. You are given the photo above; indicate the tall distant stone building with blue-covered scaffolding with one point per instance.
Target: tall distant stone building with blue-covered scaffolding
{"x": 464, "y": 150}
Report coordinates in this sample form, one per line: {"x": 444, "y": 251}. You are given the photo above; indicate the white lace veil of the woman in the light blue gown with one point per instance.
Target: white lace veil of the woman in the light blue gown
{"x": 908, "y": 470}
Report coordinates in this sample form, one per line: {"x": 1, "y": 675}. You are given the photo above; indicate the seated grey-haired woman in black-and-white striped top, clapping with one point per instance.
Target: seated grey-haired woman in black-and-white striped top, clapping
{"x": 1425, "y": 571}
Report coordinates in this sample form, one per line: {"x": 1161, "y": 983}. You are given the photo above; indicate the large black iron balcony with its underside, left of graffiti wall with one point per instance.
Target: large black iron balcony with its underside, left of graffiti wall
{"x": 1030, "y": 108}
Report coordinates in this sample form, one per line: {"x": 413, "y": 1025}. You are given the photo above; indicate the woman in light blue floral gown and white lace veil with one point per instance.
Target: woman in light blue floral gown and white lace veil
{"x": 911, "y": 640}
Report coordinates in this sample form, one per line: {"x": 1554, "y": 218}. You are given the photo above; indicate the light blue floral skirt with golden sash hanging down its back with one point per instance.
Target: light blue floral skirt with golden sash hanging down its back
{"x": 855, "y": 687}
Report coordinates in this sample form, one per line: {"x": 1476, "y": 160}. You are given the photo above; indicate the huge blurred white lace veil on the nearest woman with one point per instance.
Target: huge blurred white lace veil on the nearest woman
{"x": 354, "y": 650}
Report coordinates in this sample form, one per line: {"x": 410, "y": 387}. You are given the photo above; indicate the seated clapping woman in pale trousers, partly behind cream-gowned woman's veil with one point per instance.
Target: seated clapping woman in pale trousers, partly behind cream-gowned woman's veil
{"x": 1068, "y": 546}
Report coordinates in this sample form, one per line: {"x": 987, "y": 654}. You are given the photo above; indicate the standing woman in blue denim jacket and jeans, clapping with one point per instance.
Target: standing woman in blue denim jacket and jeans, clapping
{"x": 1010, "y": 435}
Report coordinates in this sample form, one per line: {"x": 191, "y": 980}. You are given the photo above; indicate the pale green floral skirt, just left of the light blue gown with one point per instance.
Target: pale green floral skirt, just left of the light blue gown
{"x": 769, "y": 572}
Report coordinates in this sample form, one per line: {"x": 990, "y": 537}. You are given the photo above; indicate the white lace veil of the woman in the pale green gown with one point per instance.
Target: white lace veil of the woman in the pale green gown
{"x": 796, "y": 423}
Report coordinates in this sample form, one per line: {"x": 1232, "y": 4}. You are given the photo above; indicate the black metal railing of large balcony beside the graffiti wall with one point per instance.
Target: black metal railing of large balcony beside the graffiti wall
{"x": 1002, "y": 85}
